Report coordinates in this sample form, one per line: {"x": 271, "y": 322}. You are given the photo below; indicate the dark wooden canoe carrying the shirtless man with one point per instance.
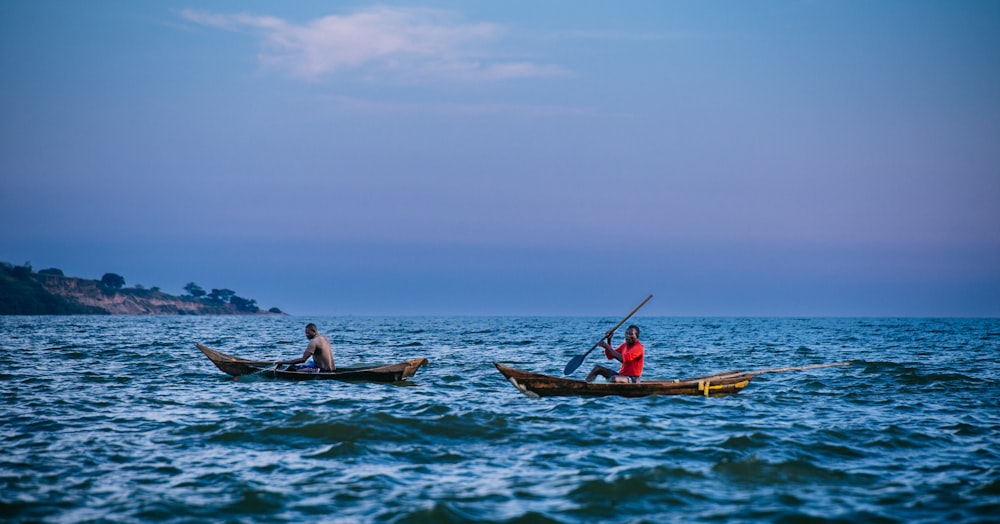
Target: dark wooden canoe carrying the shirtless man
{"x": 236, "y": 367}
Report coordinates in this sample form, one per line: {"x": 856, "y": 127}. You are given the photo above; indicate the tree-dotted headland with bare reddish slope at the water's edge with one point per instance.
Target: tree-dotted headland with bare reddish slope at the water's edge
{"x": 49, "y": 292}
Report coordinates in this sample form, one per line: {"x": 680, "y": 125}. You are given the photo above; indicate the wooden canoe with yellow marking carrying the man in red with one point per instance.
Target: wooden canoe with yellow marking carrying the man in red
{"x": 538, "y": 385}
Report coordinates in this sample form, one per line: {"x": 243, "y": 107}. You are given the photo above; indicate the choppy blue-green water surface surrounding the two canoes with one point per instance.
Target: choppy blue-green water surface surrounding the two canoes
{"x": 121, "y": 419}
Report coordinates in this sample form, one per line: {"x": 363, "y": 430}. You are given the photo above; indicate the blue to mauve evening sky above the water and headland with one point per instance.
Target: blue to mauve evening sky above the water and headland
{"x": 732, "y": 158}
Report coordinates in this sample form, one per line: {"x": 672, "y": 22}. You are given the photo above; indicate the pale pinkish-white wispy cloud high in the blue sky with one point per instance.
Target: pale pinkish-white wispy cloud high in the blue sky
{"x": 382, "y": 42}
